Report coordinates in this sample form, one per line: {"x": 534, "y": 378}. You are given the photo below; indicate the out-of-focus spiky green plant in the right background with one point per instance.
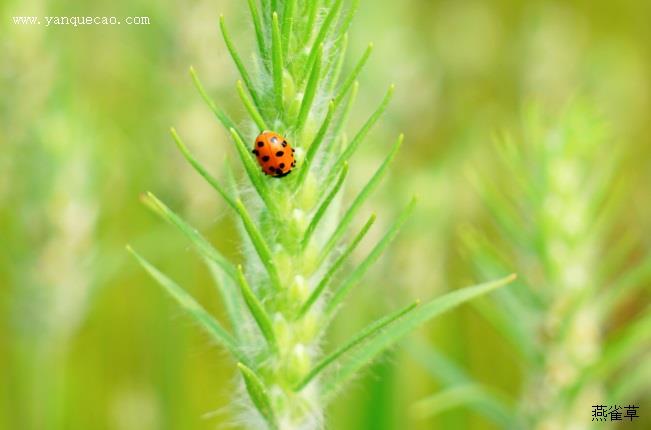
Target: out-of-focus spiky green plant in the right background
{"x": 555, "y": 215}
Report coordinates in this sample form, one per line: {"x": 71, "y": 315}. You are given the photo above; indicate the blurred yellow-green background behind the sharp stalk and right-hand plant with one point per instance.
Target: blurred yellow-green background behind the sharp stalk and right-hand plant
{"x": 88, "y": 341}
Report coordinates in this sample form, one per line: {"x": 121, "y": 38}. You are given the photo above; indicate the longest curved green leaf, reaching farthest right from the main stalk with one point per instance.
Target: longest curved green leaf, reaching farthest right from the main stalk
{"x": 396, "y": 332}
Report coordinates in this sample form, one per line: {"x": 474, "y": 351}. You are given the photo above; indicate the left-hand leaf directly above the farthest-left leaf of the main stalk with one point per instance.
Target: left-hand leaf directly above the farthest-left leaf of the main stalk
{"x": 204, "y": 247}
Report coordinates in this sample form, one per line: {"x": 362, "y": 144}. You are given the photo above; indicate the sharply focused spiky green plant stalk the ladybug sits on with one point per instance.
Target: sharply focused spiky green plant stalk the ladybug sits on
{"x": 292, "y": 231}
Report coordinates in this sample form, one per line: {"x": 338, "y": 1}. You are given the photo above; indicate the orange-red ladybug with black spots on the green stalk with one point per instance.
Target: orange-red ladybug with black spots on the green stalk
{"x": 274, "y": 154}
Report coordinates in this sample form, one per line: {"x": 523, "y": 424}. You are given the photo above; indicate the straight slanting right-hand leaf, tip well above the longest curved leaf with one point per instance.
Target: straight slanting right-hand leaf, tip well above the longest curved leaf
{"x": 359, "y": 272}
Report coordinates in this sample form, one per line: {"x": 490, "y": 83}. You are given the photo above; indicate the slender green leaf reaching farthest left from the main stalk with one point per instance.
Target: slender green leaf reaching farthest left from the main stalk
{"x": 192, "y": 307}
